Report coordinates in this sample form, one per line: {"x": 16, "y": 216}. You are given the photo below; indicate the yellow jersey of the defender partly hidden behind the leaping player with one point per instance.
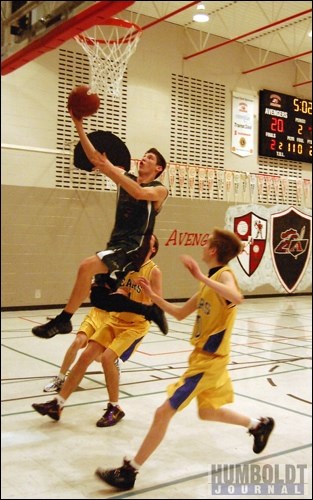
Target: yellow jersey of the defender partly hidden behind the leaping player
{"x": 135, "y": 291}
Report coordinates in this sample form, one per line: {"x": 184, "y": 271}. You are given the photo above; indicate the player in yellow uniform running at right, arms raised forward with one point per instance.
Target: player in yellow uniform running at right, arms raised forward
{"x": 206, "y": 378}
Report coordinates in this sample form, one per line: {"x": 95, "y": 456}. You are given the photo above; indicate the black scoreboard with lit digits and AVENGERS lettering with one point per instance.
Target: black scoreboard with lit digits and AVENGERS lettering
{"x": 285, "y": 126}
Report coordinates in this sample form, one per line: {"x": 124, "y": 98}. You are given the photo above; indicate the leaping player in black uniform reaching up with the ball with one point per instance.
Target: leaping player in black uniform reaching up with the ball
{"x": 140, "y": 199}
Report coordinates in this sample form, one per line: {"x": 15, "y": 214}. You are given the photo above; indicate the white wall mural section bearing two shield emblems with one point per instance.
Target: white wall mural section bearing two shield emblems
{"x": 277, "y": 247}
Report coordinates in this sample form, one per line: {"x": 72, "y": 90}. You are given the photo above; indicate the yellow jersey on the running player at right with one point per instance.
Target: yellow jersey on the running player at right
{"x": 215, "y": 319}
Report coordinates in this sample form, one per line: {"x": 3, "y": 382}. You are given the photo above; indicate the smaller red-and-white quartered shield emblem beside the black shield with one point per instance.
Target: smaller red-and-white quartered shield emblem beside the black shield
{"x": 252, "y": 230}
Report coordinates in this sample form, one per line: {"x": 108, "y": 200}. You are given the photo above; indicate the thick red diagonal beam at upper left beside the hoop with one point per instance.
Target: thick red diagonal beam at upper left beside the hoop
{"x": 95, "y": 14}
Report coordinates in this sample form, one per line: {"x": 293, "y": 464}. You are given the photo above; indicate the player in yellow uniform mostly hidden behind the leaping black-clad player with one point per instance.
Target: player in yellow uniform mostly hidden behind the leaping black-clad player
{"x": 111, "y": 336}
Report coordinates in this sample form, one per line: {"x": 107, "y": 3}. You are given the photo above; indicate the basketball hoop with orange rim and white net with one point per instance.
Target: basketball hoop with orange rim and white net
{"x": 108, "y": 53}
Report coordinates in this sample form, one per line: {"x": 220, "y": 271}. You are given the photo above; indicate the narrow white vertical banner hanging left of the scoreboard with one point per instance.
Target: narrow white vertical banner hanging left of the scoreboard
{"x": 242, "y": 124}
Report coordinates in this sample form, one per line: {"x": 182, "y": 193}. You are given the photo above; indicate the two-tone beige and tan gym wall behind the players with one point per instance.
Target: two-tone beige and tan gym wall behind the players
{"x": 53, "y": 216}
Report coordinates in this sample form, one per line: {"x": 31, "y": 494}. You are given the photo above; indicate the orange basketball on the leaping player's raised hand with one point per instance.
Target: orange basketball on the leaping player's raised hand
{"x": 81, "y": 103}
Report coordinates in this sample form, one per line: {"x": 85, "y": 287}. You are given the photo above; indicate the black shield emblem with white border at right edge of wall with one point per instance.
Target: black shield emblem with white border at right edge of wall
{"x": 290, "y": 245}
